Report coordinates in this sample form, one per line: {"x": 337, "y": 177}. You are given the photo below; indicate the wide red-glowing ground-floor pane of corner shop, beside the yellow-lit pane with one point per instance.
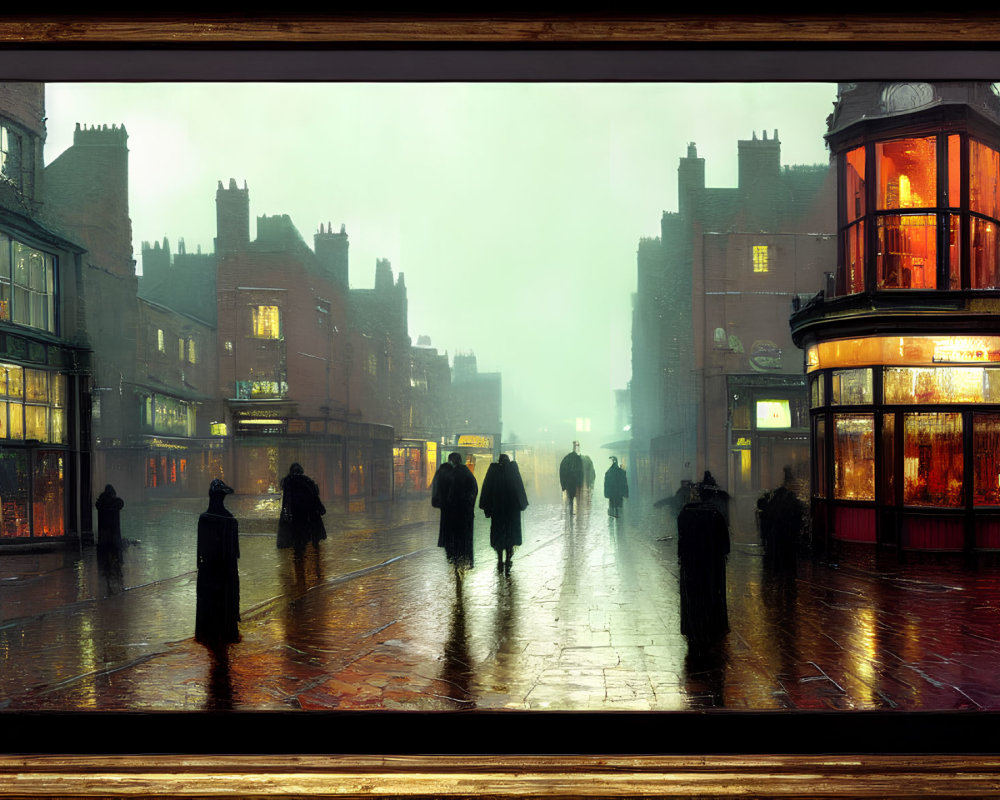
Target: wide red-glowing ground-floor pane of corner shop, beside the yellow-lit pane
{"x": 932, "y": 459}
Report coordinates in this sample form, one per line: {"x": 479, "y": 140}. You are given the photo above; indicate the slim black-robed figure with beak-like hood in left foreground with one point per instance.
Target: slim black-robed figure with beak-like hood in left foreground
{"x": 218, "y": 588}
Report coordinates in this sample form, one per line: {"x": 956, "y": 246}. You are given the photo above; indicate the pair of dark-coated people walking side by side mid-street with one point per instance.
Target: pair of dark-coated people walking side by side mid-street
{"x": 454, "y": 490}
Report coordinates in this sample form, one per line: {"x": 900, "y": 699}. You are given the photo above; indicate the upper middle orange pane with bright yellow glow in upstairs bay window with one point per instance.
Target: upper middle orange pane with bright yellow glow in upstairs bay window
{"x": 907, "y": 173}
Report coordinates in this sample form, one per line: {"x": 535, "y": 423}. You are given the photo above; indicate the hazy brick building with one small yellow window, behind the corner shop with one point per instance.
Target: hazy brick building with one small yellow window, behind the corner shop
{"x": 716, "y": 382}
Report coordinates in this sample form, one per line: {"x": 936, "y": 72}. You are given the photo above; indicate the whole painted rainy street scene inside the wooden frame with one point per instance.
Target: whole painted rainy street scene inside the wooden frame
{"x": 499, "y": 396}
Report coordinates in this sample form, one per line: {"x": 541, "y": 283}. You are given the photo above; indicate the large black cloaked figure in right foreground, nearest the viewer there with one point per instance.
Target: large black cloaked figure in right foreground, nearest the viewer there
{"x": 702, "y": 548}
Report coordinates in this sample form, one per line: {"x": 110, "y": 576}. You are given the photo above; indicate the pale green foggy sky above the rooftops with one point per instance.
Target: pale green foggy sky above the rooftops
{"x": 513, "y": 209}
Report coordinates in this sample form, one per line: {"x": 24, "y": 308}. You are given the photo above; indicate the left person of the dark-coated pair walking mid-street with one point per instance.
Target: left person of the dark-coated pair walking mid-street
{"x": 454, "y": 490}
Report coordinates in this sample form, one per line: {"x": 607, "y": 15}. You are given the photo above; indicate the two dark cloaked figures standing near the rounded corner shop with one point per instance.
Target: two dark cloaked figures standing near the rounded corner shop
{"x": 703, "y": 545}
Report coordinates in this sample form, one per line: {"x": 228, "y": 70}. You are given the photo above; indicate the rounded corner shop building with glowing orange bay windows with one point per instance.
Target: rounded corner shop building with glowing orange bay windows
{"x": 903, "y": 360}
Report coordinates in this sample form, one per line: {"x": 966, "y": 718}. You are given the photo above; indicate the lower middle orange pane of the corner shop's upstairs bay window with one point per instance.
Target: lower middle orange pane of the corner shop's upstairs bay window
{"x": 907, "y": 252}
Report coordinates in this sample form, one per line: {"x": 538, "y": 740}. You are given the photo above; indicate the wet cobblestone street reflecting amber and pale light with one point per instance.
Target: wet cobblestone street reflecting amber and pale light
{"x": 587, "y": 620}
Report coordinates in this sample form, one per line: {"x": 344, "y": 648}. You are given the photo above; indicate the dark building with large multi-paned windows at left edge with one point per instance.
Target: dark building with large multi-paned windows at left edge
{"x": 45, "y": 348}
